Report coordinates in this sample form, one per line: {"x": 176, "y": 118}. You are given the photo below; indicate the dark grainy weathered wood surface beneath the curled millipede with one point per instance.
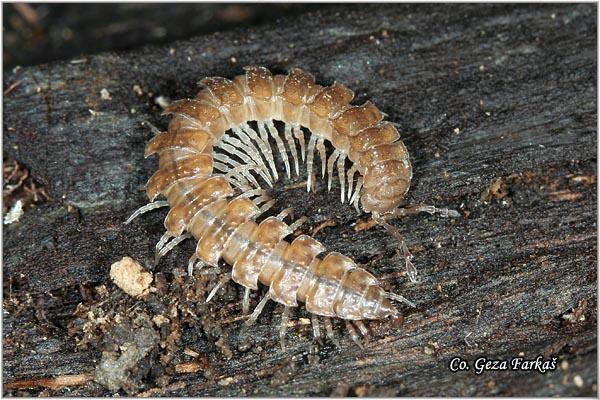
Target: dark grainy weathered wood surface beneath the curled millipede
{"x": 497, "y": 106}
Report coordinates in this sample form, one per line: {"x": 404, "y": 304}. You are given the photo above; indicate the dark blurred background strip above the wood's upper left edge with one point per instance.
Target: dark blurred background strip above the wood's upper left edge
{"x": 39, "y": 33}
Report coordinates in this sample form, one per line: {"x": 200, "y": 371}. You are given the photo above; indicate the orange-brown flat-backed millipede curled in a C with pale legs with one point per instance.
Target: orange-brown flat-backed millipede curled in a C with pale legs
{"x": 211, "y": 161}
